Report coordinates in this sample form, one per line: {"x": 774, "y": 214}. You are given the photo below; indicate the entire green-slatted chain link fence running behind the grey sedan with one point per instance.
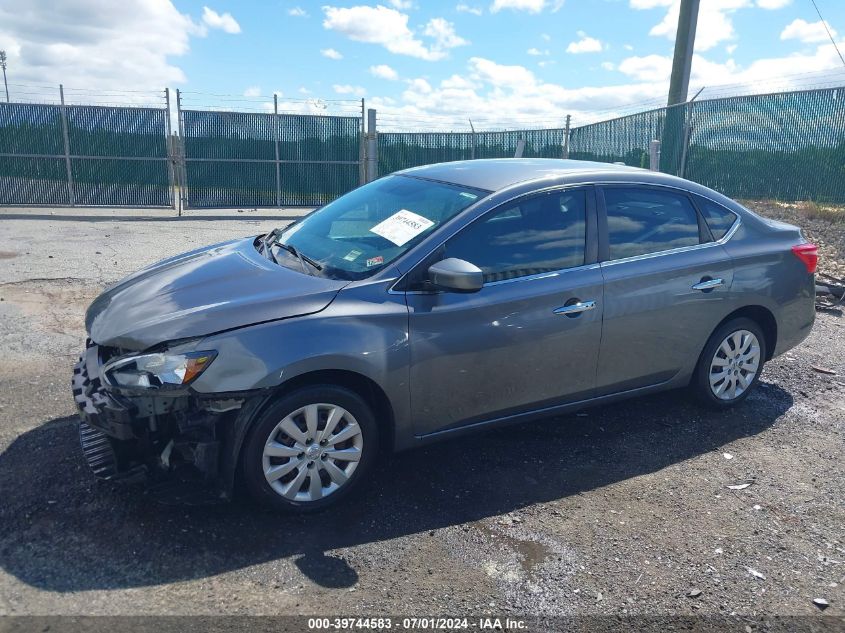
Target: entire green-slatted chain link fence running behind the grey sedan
{"x": 788, "y": 146}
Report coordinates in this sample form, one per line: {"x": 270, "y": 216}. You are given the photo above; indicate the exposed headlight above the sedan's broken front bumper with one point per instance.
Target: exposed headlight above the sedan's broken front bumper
{"x": 157, "y": 371}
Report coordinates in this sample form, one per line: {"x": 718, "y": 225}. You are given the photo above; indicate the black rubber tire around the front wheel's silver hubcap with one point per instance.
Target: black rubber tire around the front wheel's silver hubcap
{"x": 252, "y": 456}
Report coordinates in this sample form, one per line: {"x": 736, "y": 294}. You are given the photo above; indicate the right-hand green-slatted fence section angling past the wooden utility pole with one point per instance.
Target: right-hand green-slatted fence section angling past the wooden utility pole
{"x": 787, "y": 146}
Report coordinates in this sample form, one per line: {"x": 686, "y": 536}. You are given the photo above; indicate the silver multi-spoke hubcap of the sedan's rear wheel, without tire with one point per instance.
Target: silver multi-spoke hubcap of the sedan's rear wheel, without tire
{"x": 735, "y": 365}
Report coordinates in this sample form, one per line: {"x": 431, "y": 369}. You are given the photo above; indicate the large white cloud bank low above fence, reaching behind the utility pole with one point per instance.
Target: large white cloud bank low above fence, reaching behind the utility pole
{"x": 510, "y": 96}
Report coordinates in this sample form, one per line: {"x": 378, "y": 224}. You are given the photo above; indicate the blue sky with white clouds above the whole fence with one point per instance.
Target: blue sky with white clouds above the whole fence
{"x": 422, "y": 64}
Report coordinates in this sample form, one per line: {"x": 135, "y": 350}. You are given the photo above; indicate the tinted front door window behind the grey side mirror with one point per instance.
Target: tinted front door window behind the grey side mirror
{"x": 538, "y": 234}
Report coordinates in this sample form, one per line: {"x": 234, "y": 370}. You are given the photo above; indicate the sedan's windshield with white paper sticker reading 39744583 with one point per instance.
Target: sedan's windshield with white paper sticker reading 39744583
{"x": 362, "y": 232}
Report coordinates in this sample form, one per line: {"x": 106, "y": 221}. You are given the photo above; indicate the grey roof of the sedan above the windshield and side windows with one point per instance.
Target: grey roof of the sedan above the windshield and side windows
{"x": 498, "y": 173}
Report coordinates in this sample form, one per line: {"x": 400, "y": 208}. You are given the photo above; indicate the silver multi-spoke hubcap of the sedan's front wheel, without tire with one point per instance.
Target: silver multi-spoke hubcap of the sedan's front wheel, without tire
{"x": 312, "y": 452}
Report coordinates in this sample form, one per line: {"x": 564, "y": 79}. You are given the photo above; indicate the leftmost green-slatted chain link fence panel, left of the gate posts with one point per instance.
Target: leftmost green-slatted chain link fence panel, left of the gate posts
{"x": 118, "y": 156}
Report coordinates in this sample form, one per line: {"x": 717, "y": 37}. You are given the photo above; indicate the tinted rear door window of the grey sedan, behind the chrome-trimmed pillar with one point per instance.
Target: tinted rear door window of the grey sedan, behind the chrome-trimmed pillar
{"x": 642, "y": 221}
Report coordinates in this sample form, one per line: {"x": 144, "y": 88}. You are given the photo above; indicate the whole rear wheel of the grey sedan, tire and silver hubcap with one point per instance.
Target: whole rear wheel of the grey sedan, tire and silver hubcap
{"x": 731, "y": 364}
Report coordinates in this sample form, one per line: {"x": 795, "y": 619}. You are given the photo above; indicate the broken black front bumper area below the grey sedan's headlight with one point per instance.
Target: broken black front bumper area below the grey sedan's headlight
{"x": 184, "y": 443}
